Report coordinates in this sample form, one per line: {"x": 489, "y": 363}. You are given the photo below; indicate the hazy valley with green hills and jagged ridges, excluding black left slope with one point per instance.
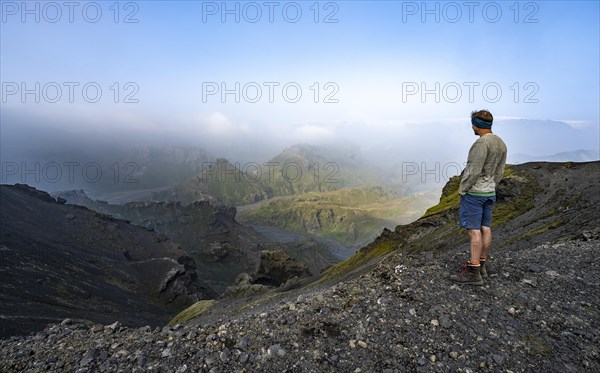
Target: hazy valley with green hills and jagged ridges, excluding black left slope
{"x": 335, "y": 202}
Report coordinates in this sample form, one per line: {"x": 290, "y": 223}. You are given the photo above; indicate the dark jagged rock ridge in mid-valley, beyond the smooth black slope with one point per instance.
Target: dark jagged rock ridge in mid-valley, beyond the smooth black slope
{"x": 221, "y": 247}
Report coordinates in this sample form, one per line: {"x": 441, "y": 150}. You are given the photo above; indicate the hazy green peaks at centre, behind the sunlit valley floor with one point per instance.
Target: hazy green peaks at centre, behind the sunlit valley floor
{"x": 298, "y": 169}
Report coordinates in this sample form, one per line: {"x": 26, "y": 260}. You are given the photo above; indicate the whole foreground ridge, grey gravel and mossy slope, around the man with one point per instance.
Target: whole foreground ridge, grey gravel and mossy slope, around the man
{"x": 390, "y": 307}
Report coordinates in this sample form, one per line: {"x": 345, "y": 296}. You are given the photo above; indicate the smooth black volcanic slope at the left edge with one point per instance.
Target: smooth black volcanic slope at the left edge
{"x": 62, "y": 261}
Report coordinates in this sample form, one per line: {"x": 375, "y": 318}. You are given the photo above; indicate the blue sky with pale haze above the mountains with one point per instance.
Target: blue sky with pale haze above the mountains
{"x": 544, "y": 52}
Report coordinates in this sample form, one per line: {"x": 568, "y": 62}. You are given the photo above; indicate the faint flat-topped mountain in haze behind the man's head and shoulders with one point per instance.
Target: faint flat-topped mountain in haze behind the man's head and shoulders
{"x": 449, "y": 142}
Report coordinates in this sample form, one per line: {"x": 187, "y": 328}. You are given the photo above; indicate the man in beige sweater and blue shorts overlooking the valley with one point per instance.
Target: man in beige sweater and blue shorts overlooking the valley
{"x": 484, "y": 169}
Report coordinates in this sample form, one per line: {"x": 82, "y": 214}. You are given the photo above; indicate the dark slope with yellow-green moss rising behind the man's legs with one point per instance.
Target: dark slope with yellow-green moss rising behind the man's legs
{"x": 536, "y": 203}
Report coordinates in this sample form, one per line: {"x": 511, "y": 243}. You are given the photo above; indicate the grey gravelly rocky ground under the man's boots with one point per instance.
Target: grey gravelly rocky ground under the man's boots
{"x": 537, "y": 312}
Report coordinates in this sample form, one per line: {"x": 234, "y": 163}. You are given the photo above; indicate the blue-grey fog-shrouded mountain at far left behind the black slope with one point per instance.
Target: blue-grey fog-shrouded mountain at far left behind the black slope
{"x": 112, "y": 173}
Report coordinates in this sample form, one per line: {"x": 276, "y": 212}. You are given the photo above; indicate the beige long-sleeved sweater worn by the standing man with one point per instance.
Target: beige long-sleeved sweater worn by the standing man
{"x": 485, "y": 165}
